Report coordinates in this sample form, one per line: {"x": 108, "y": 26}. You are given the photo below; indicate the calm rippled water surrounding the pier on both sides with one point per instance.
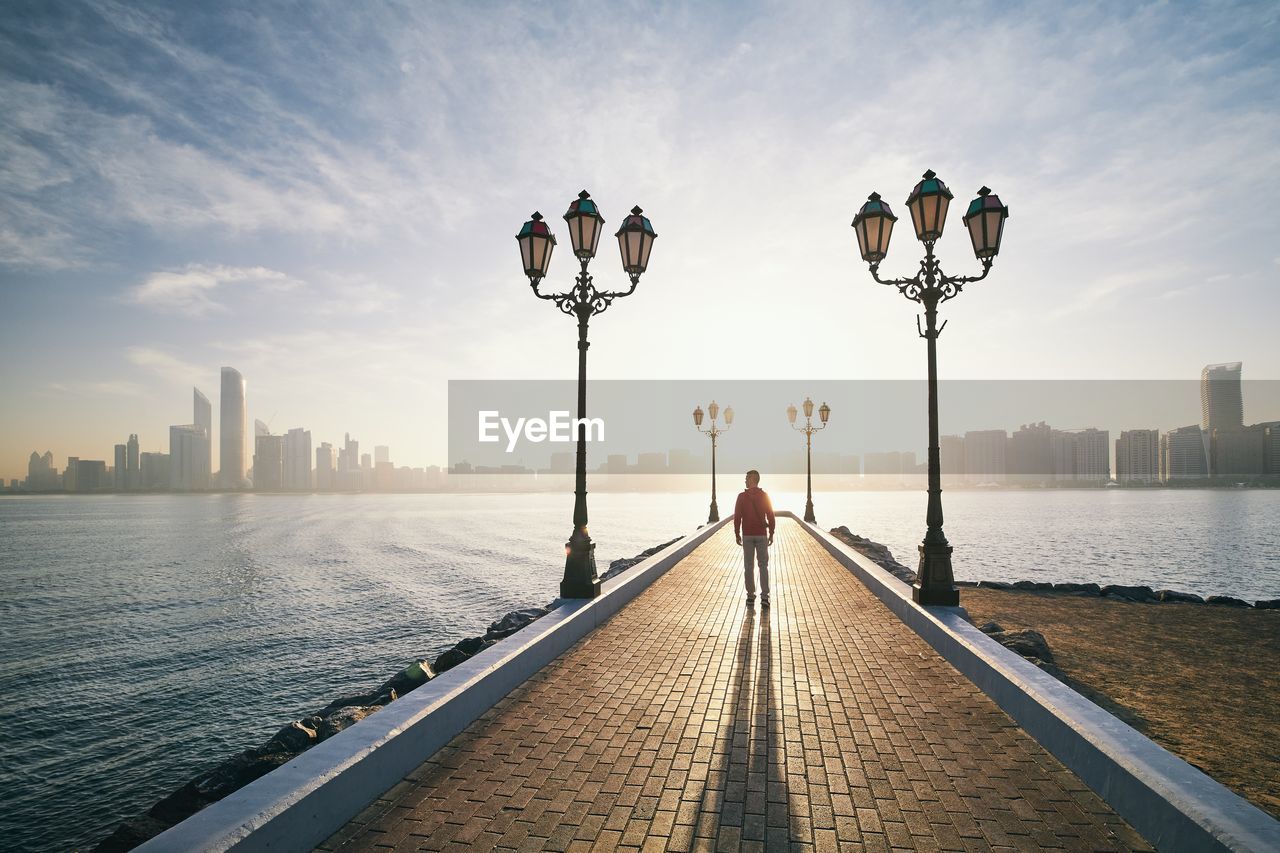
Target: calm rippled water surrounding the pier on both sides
{"x": 147, "y": 638}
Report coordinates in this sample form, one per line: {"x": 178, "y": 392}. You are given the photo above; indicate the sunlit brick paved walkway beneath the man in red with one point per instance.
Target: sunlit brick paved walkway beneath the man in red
{"x": 689, "y": 722}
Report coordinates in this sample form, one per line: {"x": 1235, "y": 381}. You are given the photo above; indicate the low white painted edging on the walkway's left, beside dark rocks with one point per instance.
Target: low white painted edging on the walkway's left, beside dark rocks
{"x": 305, "y": 801}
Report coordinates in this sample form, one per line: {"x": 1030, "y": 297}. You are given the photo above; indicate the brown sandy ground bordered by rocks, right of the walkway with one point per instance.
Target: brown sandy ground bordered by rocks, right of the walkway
{"x": 1203, "y": 682}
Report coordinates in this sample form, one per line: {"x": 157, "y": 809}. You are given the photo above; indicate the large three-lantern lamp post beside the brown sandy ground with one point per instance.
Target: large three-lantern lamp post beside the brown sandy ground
{"x": 986, "y": 223}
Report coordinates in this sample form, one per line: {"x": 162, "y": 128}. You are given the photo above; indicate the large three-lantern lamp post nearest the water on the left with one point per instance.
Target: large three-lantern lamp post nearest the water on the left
{"x": 583, "y": 300}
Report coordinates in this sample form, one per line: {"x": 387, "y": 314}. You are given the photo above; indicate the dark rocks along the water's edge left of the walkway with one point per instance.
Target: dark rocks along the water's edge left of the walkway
{"x": 300, "y": 736}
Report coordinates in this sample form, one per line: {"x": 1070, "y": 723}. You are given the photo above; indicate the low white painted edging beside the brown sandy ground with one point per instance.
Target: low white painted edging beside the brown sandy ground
{"x": 1174, "y": 806}
